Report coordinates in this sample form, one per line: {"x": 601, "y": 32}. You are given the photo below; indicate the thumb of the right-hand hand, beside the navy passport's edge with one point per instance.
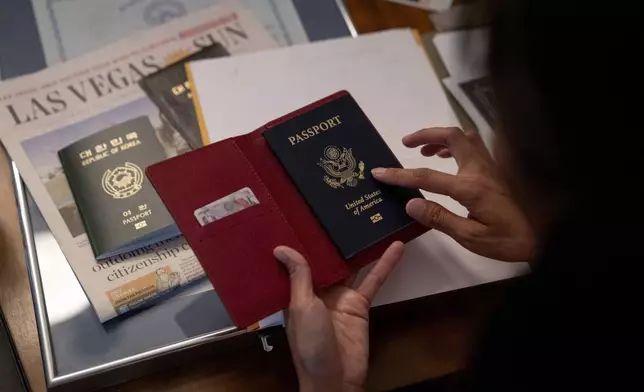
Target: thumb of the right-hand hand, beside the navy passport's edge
{"x": 436, "y": 216}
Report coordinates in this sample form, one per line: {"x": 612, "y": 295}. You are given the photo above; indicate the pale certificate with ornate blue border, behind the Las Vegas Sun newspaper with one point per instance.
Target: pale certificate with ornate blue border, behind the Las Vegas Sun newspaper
{"x": 69, "y": 28}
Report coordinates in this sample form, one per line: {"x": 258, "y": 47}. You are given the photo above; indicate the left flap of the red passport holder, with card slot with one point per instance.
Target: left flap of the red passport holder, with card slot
{"x": 239, "y": 245}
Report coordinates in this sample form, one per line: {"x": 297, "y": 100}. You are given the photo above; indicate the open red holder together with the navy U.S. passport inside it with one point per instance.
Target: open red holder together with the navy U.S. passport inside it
{"x": 310, "y": 172}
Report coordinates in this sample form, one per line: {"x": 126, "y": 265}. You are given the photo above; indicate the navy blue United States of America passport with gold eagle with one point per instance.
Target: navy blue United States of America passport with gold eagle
{"x": 328, "y": 152}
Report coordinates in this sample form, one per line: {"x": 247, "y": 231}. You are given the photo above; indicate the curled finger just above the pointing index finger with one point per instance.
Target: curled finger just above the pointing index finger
{"x": 451, "y": 138}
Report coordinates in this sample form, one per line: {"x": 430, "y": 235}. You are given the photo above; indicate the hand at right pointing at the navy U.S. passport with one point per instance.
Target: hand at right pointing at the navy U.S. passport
{"x": 495, "y": 227}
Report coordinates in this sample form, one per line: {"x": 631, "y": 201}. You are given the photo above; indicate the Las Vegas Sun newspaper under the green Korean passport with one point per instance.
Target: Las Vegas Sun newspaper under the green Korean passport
{"x": 44, "y": 112}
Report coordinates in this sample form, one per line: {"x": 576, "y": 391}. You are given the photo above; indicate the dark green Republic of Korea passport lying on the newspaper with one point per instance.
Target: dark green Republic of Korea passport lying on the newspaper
{"x": 106, "y": 173}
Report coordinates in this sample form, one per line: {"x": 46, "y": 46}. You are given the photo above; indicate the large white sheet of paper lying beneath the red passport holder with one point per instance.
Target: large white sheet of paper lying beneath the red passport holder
{"x": 391, "y": 78}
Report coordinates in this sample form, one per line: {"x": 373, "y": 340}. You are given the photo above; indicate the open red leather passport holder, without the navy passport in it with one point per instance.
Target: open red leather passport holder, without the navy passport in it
{"x": 237, "y": 251}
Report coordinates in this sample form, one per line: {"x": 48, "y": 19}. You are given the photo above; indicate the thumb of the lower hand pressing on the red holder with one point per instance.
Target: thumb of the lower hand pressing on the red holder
{"x": 299, "y": 273}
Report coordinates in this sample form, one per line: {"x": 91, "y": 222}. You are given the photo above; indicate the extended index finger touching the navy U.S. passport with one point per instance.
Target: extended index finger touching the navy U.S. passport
{"x": 427, "y": 179}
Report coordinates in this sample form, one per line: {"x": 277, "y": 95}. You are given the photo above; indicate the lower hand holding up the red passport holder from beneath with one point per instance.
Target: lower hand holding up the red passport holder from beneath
{"x": 329, "y": 333}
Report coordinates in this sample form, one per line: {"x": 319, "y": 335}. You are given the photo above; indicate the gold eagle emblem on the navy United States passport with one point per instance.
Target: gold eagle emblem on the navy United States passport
{"x": 340, "y": 164}
